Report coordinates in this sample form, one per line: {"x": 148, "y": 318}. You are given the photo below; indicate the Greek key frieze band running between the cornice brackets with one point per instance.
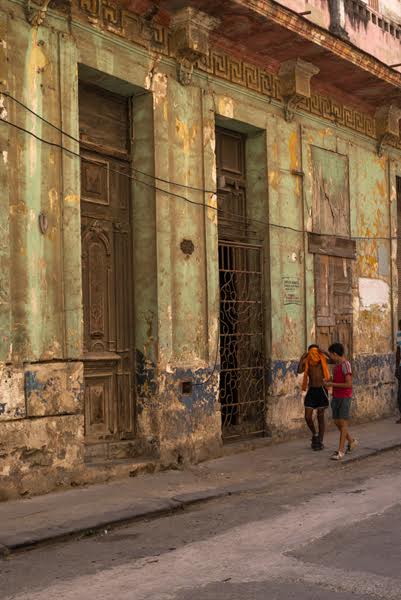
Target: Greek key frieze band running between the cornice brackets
{"x": 109, "y": 17}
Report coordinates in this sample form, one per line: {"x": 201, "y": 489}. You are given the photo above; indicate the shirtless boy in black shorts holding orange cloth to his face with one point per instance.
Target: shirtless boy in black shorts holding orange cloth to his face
{"x": 313, "y": 364}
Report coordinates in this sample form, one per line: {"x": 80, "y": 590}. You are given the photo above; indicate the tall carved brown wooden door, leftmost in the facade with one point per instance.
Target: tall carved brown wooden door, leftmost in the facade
{"x": 106, "y": 278}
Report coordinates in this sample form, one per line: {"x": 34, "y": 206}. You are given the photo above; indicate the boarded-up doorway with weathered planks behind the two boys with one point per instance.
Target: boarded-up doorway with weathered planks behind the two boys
{"x": 334, "y": 250}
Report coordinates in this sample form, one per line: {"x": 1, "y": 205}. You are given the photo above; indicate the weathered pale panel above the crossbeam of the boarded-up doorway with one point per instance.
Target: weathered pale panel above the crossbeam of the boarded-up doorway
{"x": 331, "y": 207}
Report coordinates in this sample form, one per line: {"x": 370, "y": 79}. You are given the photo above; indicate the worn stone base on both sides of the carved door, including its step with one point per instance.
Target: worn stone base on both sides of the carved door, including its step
{"x": 42, "y": 445}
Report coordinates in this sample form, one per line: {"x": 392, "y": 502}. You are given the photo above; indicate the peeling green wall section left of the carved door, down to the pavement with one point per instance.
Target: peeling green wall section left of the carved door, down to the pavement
{"x": 41, "y": 417}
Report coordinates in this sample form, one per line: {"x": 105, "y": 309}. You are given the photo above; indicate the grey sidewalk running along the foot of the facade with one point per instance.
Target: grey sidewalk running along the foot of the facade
{"x": 28, "y": 522}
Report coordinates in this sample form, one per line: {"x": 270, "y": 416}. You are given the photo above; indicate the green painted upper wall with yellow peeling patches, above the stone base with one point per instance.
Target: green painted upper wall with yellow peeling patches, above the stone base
{"x": 176, "y": 296}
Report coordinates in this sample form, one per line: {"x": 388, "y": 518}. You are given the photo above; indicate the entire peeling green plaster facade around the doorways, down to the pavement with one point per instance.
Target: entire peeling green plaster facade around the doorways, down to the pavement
{"x": 176, "y": 300}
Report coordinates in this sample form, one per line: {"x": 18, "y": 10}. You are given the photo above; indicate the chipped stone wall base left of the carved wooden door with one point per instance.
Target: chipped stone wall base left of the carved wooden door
{"x": 41, "y": 427}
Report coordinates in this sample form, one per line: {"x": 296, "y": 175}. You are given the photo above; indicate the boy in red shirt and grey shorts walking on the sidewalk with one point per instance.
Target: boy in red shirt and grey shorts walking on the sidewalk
{"x": 341, "y": 401}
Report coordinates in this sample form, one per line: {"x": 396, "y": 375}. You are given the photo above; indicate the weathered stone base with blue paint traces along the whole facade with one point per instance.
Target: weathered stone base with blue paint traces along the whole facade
{"x": 42, "y": 425}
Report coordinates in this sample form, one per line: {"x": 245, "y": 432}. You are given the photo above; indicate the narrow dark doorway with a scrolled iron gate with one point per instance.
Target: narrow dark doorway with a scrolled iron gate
{"x": 242, "y": 347}
